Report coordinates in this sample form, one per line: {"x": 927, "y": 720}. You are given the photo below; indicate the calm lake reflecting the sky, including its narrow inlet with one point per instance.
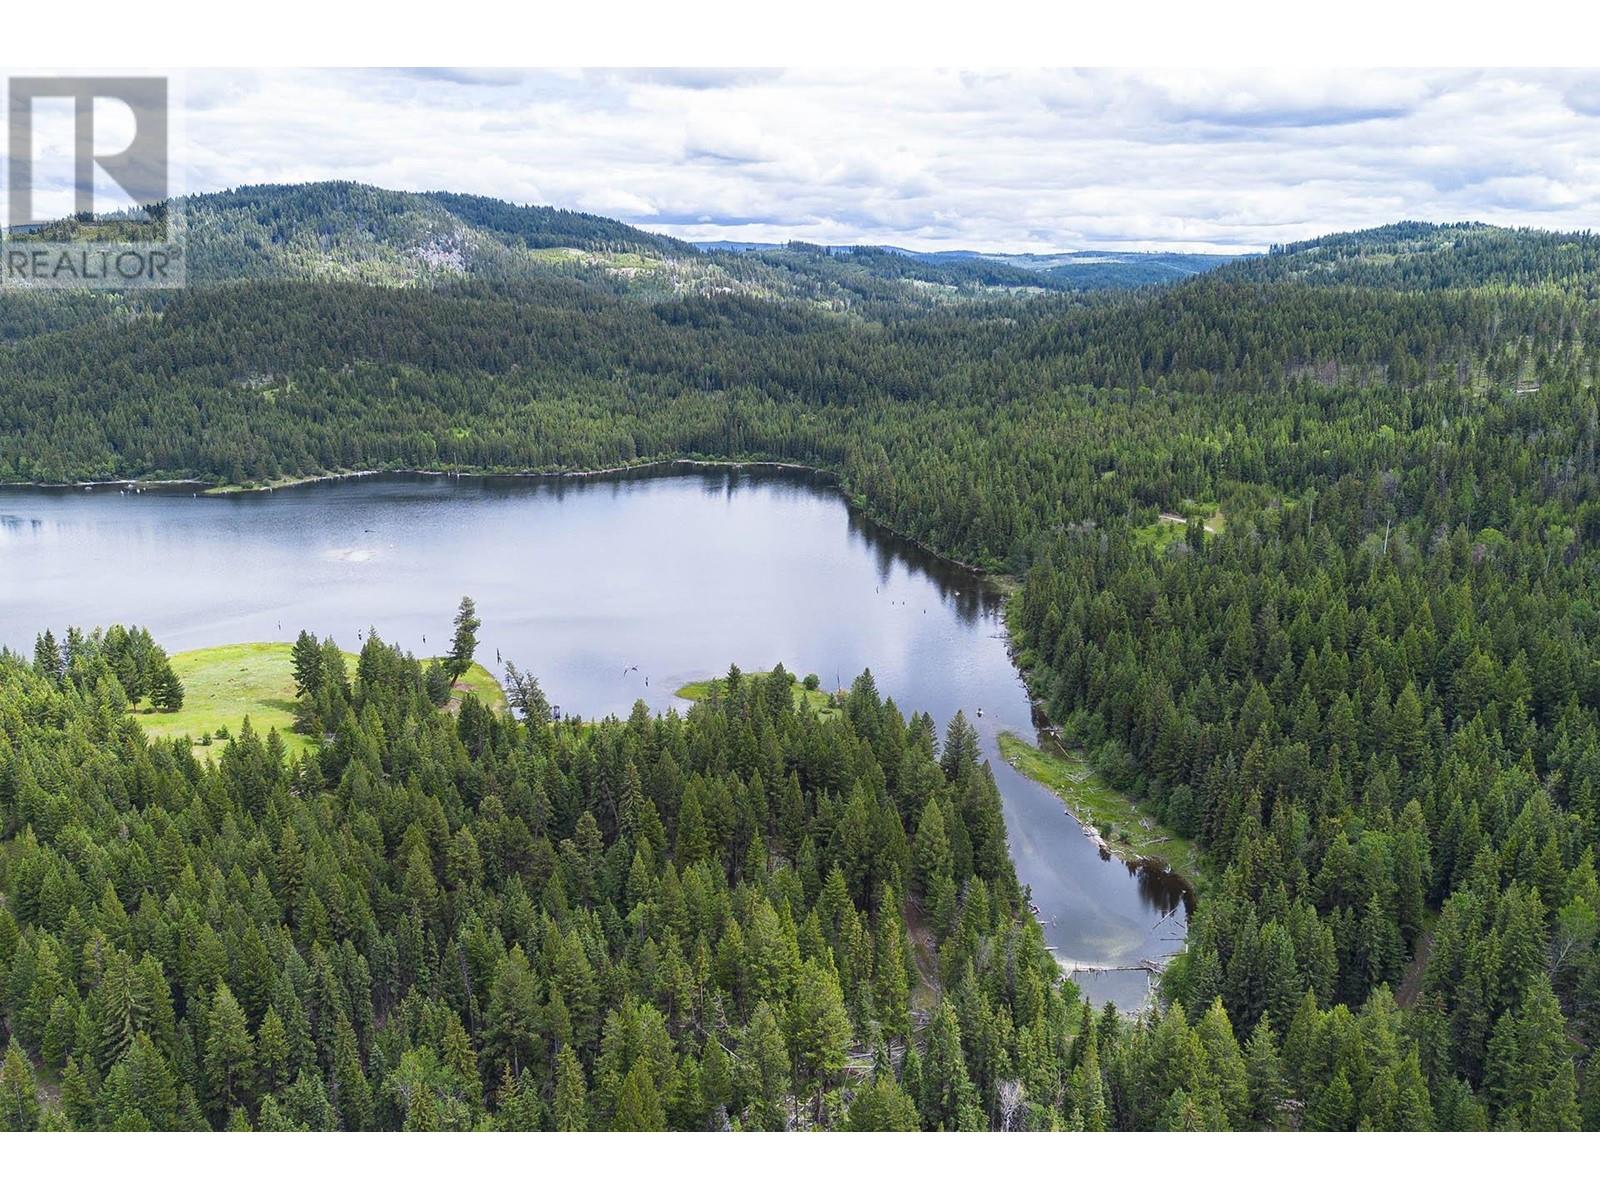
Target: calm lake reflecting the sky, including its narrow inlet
{"x": 678, "y": 575}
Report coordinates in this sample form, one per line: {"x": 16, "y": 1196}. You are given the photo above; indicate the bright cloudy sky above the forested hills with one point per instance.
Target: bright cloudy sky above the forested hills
{"x": 996, "y": 161}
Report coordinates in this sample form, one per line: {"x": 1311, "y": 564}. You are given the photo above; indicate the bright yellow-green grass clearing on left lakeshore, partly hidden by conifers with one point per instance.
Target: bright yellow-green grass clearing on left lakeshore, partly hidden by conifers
{"x": 257, "y": 679}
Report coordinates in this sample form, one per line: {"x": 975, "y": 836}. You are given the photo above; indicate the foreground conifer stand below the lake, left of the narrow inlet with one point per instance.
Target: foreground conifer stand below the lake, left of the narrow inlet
{"x": 746, "y": 918}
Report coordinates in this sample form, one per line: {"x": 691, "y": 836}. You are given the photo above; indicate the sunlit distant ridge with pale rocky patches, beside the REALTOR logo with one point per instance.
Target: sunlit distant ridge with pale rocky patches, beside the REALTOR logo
{"x": 343, "y": 231}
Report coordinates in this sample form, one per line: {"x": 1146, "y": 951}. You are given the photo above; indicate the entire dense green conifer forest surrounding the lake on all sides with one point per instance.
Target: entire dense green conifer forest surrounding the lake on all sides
{"x": 1369, "y": 687}
